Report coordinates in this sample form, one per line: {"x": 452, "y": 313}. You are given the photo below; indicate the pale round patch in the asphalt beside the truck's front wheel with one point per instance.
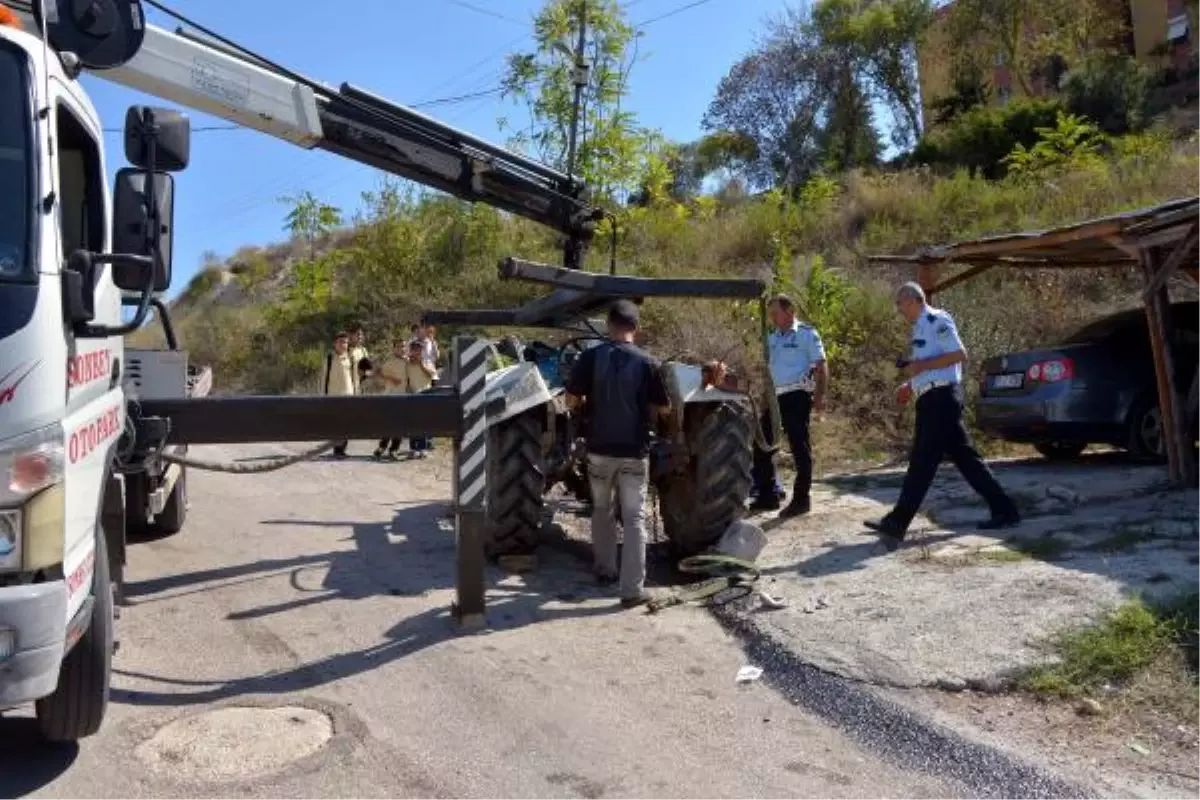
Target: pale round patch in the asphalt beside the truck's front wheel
{"x": 237, "y": 744}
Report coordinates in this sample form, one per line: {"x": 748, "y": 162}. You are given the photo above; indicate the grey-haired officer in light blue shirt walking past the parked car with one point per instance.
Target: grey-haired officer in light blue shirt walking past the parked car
{"x": 935, "y": 381}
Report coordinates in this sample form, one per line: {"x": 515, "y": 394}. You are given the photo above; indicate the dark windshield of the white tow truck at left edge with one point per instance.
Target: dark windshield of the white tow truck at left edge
{"x": 16, "y": 167}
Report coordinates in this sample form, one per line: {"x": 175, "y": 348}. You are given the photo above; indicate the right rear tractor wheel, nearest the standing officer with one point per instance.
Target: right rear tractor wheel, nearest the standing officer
{"x": 701, "y": 503}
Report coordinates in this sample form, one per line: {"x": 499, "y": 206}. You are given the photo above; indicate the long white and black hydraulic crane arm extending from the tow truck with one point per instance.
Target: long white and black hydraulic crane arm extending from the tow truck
{"x": 207, "y": 76}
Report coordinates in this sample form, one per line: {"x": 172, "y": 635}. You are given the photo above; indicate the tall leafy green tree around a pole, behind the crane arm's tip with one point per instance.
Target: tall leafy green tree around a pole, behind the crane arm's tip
{"x": 610, "y": 148}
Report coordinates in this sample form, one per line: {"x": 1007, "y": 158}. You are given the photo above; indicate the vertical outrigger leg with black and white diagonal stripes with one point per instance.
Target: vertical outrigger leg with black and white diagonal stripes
{"x": 471, "y": 482}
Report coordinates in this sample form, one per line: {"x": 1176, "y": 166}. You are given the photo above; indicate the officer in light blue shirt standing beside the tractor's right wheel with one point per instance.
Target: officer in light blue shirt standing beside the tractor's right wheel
{"x": 801, "y": 376}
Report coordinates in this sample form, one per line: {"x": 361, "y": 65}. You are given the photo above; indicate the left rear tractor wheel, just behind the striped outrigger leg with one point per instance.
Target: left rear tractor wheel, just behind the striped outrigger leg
{"x": 517, "y": 479}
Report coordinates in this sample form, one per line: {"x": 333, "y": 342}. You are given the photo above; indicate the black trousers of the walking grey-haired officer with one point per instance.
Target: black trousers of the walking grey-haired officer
{"x": 941, "y": 434}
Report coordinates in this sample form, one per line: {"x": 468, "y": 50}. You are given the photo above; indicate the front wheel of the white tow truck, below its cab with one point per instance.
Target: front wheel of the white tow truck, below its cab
{"x": 77, "y": 707}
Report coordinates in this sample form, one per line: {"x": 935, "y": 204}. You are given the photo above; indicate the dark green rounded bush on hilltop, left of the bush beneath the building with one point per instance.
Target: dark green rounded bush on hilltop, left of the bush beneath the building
{"x": 981, "y": 139}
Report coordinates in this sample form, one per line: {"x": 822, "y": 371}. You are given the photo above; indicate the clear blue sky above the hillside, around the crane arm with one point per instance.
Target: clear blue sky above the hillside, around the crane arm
{"x": 411, "y": 52}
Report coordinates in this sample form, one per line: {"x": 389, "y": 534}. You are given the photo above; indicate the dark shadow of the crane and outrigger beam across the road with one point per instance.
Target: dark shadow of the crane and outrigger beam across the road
{"x": 411, "y": 557}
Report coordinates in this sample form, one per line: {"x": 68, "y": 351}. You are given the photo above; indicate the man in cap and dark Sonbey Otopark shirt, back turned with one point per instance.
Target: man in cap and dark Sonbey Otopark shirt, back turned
{"x": 622, "y": 392}
